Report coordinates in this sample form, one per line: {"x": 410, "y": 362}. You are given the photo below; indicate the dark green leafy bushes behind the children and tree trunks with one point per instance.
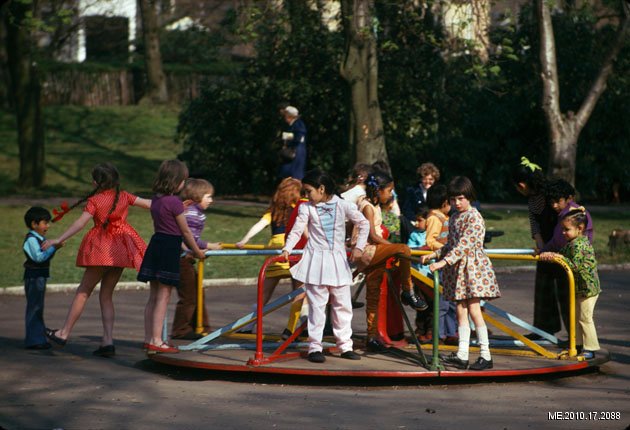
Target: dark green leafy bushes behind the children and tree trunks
{"x": 469, "y": 118}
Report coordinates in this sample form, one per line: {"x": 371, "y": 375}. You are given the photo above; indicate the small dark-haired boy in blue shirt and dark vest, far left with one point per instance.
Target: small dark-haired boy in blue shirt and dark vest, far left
{"x": 36, "y": 272}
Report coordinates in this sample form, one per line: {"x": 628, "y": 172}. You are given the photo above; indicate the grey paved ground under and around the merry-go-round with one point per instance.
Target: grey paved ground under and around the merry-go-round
{"x": 71, "y": 389}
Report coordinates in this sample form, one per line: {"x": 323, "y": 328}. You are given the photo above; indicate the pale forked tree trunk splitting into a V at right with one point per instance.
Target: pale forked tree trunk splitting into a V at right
{"x": 564, "y": 129}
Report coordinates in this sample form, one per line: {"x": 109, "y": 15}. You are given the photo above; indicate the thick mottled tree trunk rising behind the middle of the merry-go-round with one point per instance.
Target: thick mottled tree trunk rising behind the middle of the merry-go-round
{"x": 360, "y": 69}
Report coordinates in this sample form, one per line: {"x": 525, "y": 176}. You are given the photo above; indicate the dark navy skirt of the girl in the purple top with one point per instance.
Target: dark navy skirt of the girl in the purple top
{"x": 161, "y": 260}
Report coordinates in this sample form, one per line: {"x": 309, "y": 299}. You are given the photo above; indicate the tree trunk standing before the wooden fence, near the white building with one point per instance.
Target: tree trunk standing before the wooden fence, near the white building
{"x": 156, "y": 81}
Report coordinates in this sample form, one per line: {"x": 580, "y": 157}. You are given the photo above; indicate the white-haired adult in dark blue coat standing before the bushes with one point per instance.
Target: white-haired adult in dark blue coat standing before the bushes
{"x": 293, "y": 152}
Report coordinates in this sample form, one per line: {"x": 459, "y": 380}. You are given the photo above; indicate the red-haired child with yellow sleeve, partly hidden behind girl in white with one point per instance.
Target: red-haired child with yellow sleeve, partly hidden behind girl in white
{"x": 277, "y": 215}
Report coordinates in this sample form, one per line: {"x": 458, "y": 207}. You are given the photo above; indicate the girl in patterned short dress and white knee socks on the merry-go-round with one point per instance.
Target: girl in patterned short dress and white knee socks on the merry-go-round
{"x": 468, "y": 275}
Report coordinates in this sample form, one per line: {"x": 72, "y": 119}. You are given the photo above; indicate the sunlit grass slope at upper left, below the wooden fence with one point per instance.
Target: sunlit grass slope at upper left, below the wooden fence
{"x": 136, "y": 139}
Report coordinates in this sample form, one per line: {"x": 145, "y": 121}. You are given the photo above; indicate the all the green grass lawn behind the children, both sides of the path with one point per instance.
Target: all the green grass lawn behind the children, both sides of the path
{"x": 136, "y": 139}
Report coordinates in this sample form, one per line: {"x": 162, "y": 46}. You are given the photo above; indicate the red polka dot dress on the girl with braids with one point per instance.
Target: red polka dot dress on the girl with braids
{"x": 117, "y": 245}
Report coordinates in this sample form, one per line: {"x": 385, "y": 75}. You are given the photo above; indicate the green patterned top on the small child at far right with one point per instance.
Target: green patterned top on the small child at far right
{"x": 580, "y": 256}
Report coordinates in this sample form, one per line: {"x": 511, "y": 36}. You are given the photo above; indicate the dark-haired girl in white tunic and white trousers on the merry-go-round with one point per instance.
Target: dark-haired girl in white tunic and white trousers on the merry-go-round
{"x": 324, "y": 266}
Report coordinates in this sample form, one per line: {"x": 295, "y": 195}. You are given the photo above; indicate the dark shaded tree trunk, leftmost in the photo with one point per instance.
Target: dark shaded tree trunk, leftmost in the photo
{"x": 26, "y": 94}
